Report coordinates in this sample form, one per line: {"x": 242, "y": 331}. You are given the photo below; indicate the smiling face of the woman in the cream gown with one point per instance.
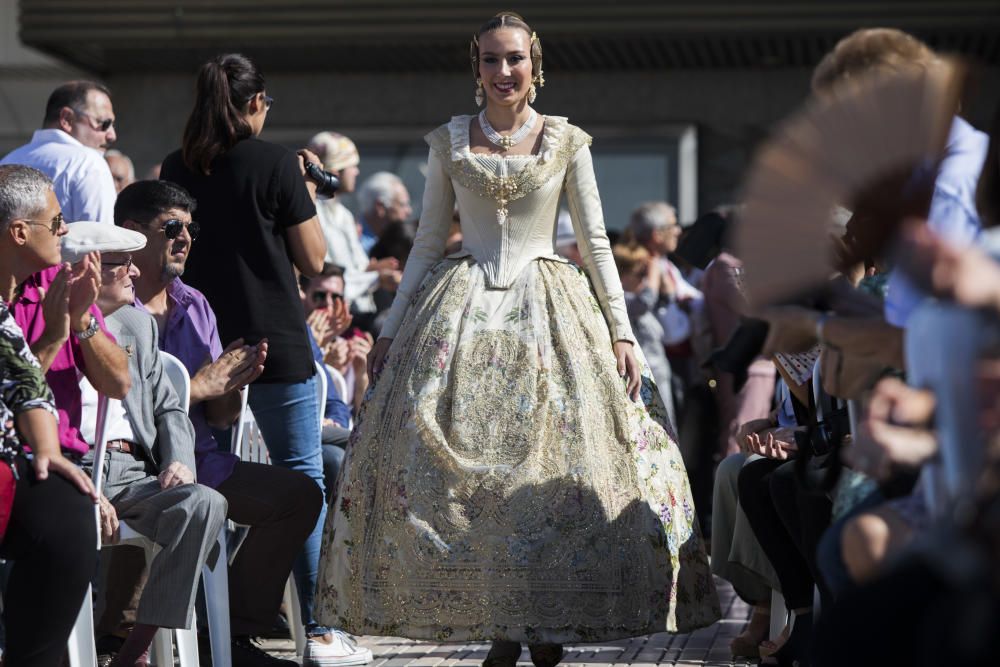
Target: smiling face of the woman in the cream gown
{"x": 505, "y": 65}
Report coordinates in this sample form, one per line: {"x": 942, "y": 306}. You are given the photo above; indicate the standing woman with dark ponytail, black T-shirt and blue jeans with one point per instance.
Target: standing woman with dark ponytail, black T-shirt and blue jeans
{"x": 255, "y": 222}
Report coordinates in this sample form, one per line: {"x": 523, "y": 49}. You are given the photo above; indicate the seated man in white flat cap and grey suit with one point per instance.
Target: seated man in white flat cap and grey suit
{"x": 149, "y": 478}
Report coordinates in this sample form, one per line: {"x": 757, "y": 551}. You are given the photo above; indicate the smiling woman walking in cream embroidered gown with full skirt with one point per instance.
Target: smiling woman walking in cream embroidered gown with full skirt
{"x": 501, "y": 482}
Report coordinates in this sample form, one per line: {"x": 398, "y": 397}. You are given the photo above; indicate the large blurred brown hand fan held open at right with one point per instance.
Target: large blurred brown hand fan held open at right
{"x": 873, "y": 146}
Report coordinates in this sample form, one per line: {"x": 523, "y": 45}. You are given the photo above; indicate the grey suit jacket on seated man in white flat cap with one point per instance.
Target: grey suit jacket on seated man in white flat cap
{"x": 159, "y": 422}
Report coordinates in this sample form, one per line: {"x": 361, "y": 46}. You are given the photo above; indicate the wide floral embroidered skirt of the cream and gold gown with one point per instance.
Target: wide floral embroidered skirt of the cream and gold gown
{"x": 500, "y": 484}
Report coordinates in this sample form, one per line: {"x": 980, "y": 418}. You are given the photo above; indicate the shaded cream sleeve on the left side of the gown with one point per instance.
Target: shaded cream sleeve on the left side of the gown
{"x": 430, "y": 241}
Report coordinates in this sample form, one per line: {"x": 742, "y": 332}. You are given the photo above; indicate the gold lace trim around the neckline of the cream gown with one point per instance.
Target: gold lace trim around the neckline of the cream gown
{"x": 470, "y": 173}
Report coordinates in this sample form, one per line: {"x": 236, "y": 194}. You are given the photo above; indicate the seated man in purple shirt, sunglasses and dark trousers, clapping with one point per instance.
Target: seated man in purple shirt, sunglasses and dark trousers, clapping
{"x": 281, "y": 506}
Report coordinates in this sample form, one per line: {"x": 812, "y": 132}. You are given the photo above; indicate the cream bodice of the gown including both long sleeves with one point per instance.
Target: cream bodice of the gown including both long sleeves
{"x": 508, "y": 208}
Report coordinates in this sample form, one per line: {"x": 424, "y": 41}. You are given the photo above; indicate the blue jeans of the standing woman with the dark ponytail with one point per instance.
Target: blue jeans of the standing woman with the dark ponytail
{"x": 288, "y": 416}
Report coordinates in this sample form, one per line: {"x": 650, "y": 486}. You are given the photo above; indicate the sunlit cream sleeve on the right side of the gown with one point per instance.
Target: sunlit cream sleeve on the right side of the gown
{"x": 588, "y": 225}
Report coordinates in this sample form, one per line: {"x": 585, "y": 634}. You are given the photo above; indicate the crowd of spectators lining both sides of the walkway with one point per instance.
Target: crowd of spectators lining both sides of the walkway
{"x": 830, "y": 464}
